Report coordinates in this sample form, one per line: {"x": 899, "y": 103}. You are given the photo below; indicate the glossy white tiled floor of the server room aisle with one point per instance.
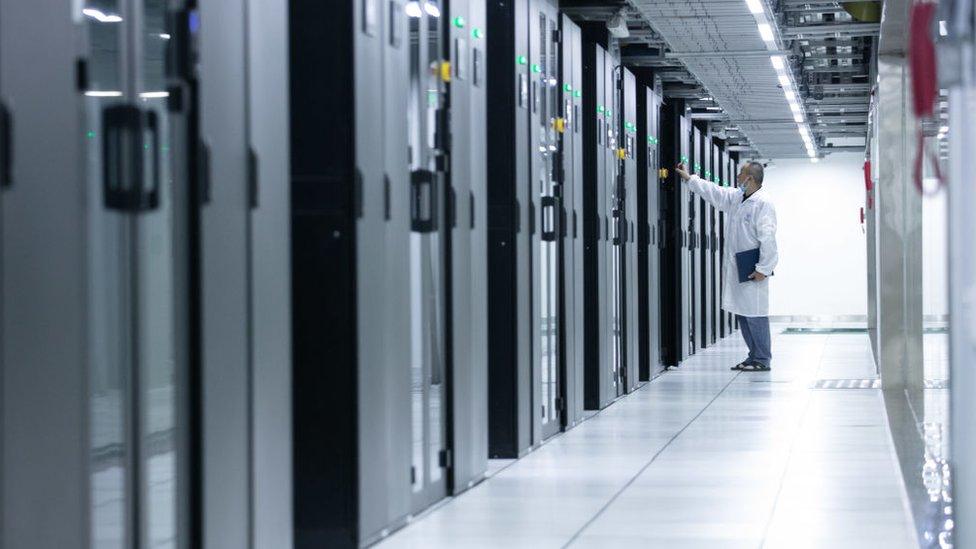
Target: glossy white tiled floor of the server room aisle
{"x": 704, "y": 457}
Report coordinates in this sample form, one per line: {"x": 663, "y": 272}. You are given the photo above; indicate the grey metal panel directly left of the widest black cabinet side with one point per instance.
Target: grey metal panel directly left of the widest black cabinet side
{"x": 270, "y": 284}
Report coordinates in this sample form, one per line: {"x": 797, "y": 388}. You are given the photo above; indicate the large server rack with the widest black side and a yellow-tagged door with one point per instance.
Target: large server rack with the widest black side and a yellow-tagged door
{"x": 384, "y": 228}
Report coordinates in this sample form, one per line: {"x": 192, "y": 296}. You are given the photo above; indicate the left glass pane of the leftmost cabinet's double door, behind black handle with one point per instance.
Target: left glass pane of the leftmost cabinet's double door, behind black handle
{"x": 108, "y": 326}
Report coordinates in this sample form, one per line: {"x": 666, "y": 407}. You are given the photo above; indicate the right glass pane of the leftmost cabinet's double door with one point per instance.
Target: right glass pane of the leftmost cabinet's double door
{"x": 156, "y": 296}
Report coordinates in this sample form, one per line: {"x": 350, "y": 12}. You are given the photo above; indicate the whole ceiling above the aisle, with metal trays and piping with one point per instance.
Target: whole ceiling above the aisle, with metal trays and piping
{"x": 710, "y": 53}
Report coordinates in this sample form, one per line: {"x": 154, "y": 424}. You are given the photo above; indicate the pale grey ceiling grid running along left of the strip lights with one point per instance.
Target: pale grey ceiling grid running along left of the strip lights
{"x": 719, "y": 42}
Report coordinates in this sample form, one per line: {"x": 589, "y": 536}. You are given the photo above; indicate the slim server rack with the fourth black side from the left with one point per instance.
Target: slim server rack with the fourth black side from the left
{"x": 650, "y": 236}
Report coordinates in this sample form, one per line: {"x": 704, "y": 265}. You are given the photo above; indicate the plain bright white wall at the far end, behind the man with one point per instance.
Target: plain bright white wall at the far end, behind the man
{"x": 822, "y": 255}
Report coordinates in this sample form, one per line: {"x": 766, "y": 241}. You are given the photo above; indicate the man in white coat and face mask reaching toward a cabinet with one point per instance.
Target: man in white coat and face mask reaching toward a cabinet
{"x": 750, "y": 224}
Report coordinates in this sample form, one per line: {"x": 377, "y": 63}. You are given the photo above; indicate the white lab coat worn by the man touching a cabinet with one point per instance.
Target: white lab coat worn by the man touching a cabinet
{"x": 748, "y": 225}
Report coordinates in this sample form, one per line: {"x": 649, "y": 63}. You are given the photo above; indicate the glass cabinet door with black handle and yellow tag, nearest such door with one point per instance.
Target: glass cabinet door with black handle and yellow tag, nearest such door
{"x": 430, "y": 227}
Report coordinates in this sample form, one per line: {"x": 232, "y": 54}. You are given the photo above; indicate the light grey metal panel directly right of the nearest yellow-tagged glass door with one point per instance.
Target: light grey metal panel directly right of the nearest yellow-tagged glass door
{"x": 468, "y": 252}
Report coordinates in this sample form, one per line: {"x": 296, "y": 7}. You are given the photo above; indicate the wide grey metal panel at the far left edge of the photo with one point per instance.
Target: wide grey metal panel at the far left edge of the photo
{"x": 44, "y": 404}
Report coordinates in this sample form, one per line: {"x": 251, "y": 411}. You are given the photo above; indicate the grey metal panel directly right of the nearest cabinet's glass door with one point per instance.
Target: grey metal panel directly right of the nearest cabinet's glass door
{"x": 224, "y": 271}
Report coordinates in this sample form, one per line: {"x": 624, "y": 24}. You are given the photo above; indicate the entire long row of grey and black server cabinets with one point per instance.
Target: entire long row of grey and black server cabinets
{"x": 286, "y": 274}
